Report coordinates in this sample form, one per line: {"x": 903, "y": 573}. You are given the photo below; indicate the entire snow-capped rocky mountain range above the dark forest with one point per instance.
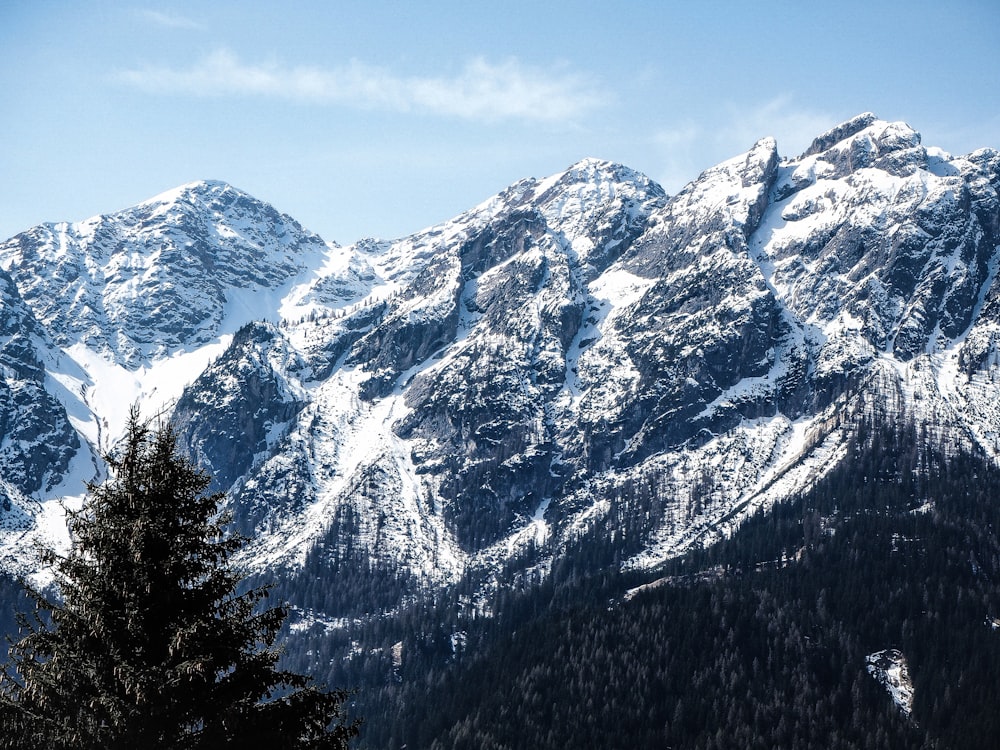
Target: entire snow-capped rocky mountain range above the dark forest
{"x": 577, "y": 356}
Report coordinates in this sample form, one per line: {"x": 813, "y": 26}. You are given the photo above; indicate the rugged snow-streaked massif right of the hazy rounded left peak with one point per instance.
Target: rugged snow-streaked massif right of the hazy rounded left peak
{"x": 583, "y": 352}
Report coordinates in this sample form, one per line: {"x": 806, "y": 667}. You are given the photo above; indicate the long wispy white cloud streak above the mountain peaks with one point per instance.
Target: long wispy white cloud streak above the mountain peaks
{"x": 481, "y": 91}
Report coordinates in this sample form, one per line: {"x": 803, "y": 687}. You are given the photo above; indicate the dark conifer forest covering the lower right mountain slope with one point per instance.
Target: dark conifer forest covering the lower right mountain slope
{"x": 758, "y": 642}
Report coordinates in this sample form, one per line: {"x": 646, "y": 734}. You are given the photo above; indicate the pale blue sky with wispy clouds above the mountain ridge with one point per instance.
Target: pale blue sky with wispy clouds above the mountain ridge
{"x": 381, "y": 118}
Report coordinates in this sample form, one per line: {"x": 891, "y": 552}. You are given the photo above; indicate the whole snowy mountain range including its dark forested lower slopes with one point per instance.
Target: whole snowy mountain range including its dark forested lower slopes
{"x": 588, "y": 465}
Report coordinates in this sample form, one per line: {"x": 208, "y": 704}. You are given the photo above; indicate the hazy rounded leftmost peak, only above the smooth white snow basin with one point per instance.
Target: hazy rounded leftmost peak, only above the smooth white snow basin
{"x": 161, "y": 277}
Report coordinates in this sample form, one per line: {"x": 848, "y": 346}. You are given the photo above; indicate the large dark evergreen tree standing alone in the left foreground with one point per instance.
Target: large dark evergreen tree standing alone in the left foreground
{"x": 152, "y": 644}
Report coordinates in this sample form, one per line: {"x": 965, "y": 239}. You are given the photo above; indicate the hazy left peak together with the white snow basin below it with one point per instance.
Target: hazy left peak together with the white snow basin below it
{"x": 125, "y": 308}
